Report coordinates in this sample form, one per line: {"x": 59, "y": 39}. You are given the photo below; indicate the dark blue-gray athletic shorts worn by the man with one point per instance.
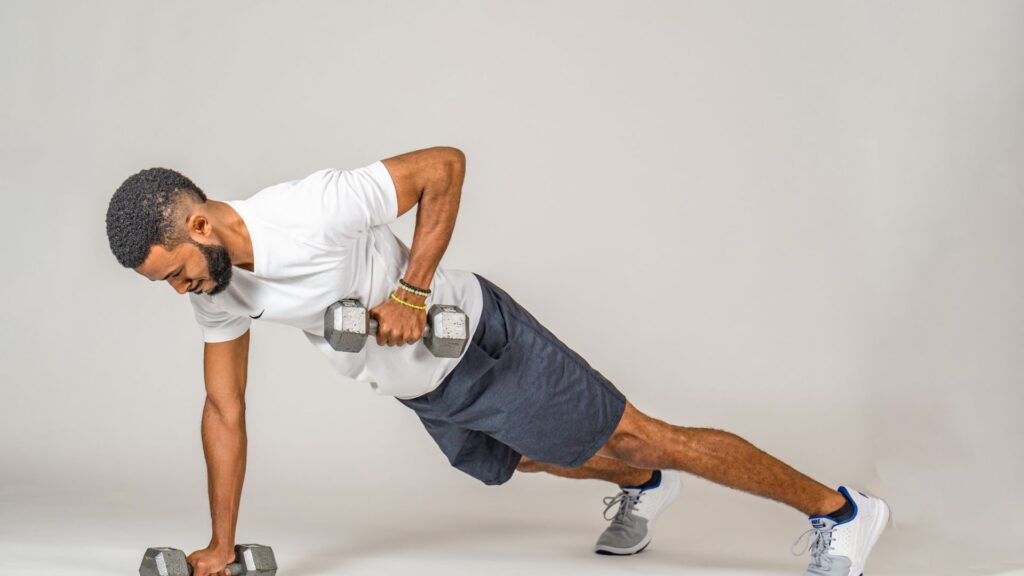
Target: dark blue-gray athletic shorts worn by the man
{"x": 519, "y": 391}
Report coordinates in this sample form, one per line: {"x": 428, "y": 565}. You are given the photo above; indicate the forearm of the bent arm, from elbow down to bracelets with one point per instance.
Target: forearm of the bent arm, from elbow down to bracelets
{"x": 436, "y": 218}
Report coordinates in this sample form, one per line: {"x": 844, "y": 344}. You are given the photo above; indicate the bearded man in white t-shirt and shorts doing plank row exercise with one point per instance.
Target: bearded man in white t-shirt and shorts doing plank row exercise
{"x": 518, "y": 398}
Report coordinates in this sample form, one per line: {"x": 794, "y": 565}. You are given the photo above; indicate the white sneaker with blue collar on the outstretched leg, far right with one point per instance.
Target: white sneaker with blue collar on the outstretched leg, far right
{"x": 841, "y": 549}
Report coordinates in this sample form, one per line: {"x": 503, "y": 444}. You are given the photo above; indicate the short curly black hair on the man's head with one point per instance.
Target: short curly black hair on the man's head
{"x": 149, "y": 210}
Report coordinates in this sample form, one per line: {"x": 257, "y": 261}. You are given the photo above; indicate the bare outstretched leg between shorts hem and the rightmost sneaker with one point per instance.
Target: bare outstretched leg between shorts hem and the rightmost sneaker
{"x": 719, "y": 457}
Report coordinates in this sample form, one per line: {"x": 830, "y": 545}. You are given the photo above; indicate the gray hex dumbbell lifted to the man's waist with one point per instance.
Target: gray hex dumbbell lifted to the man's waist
{"x": 347, "y": 326}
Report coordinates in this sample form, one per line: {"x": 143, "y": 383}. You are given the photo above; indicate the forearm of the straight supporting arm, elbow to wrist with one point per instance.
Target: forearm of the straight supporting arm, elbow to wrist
{"x": 225, "y": 446}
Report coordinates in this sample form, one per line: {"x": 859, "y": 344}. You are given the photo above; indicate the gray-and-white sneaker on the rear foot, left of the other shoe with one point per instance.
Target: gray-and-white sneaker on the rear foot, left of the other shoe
{"x": 630, "y": 531}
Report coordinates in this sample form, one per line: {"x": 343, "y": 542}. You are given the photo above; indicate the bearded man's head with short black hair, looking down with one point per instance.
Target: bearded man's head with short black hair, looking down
{"x": 158, "y": 224}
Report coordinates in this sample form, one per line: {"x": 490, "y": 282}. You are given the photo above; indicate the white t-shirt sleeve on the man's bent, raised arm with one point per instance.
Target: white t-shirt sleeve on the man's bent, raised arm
{"x": 355, "y": 201}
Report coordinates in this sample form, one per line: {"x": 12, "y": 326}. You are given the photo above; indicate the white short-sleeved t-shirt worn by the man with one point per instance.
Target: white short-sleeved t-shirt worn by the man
{"x": 322, "y": 239}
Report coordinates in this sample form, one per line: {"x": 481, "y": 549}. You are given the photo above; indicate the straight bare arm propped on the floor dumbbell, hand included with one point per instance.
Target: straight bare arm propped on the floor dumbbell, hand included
{"x": 226, "y": 371}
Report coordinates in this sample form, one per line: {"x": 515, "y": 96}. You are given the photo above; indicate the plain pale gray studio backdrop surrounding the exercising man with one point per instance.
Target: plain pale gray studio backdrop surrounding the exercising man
{"x": 800, "y": 222}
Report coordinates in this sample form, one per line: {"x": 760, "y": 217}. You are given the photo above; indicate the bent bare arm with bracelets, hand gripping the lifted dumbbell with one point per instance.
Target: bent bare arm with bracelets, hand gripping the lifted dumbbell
{"x": 433, "y": 179}
